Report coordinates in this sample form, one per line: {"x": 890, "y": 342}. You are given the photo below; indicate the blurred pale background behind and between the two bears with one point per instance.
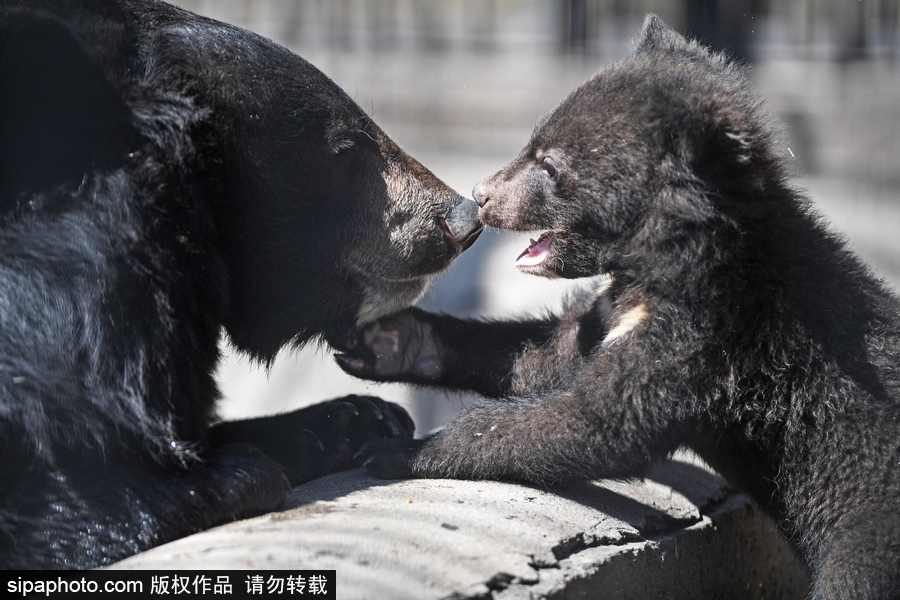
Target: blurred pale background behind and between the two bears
{"x": 460, "y": 84}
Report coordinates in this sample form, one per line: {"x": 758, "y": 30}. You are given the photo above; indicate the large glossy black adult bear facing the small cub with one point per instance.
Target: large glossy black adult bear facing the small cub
{"x": 163, "y": 175}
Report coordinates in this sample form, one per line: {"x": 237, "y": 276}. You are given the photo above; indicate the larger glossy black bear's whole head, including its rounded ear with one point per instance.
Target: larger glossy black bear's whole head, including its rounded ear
{"x": 303, "y": 218}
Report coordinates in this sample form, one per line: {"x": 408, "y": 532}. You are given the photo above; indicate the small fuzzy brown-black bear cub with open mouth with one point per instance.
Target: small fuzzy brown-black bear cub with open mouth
{"x": 734, "y": 321}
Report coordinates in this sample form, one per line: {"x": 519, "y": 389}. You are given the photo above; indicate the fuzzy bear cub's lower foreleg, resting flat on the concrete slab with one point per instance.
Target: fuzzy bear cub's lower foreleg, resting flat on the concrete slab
{"x": 615, "y": 420}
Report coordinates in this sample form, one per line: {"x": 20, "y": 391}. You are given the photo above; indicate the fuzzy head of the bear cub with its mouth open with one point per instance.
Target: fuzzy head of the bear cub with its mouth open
{"x": 657, "y": 144}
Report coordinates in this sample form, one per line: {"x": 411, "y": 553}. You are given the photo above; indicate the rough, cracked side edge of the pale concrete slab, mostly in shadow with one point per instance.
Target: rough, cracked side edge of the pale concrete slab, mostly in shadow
{"x": 733, "y": 552}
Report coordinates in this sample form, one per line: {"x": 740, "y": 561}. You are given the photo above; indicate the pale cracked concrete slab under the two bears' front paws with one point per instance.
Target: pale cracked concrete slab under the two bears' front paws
{"x": 679, "y": 534}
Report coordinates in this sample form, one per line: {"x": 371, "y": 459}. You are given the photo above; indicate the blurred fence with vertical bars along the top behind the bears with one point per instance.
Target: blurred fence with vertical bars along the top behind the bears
{"x": 833, "y": 29}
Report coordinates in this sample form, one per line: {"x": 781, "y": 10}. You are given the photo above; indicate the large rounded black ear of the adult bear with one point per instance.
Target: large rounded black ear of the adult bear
{"x": 59, "y": 116}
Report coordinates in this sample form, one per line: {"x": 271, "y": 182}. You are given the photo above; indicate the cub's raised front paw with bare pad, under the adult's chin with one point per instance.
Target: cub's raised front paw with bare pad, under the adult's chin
{"x": 402, "y": 347}
